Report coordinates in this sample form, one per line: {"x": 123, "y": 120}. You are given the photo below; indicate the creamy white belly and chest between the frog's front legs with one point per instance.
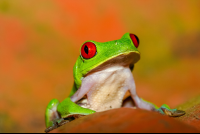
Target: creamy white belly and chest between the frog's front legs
{"x": 108, "y": 92}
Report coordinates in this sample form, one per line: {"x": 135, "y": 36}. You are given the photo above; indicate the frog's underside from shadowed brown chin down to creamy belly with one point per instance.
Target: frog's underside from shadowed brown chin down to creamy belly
{"x": 104, "y": 87}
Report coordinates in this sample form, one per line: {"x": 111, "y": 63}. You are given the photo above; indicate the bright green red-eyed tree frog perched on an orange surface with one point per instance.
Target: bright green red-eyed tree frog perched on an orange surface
{"x": 102, "y": 77}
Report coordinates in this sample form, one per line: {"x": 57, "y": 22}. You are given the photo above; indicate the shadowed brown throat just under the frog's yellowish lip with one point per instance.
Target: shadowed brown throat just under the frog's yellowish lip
{"x": 125, "y": 60}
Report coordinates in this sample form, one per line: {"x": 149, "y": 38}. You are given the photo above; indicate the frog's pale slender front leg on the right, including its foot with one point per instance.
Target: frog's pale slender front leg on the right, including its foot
{"x": 143, "y": 104}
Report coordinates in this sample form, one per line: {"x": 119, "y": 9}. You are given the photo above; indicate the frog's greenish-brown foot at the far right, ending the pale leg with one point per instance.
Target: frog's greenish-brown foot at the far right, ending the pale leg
{"x": 165, "y": 109}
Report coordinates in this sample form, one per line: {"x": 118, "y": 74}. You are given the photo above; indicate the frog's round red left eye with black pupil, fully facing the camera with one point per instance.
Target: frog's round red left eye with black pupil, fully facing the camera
{"x": 88, "y": 50}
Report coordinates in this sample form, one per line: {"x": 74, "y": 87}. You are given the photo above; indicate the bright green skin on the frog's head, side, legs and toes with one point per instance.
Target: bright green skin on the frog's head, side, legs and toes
{"x": 105, "y": 52}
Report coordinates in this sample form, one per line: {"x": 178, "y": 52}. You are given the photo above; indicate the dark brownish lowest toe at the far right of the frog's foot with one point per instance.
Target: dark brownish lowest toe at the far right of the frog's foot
{"x": 173, "y": 112}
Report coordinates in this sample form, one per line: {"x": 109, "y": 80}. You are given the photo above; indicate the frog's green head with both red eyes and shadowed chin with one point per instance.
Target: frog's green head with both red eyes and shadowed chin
{"x": 96, "y": 56}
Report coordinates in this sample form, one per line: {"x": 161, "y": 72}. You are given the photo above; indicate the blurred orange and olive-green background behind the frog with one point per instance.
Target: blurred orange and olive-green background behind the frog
{"x": 40, "y": 41}
